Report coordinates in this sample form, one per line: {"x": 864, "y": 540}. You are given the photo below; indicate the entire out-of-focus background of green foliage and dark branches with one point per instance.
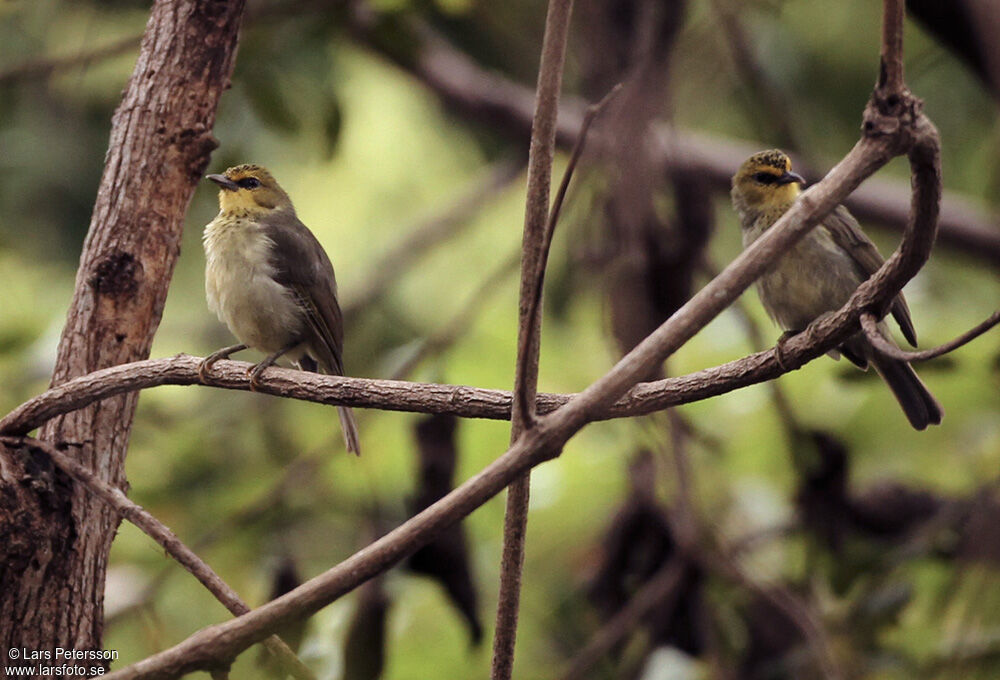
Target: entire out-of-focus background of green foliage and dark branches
{"x": 779, "y": 532}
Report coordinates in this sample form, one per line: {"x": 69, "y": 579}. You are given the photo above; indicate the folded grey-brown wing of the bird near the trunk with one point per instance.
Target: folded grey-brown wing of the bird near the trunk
{"x": 301, "y": 265}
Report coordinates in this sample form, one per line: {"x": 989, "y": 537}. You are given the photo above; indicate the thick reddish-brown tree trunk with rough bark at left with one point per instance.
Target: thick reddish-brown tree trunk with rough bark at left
{"x": 54, "y": 536}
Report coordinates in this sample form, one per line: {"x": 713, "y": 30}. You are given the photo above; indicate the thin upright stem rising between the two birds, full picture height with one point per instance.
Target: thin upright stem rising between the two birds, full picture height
{"x": 540, "y": 158}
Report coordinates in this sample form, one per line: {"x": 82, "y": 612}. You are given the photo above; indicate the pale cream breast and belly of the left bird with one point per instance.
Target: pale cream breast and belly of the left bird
{"x": 240, "y": 289}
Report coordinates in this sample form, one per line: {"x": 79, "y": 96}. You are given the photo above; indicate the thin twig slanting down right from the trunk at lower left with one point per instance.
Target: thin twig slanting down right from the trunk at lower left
{"x": 173, "y": 546}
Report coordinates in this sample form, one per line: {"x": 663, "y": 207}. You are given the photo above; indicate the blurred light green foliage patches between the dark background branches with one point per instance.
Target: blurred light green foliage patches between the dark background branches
{"x": 365, "y": 150}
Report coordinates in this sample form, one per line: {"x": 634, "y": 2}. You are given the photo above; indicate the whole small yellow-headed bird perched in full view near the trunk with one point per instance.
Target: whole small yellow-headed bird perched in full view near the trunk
{"x": 270, "y": 281}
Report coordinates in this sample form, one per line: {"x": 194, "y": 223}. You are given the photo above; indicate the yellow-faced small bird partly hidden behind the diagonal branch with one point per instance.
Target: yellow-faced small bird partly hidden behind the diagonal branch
{"x": 821, "y": 272}
